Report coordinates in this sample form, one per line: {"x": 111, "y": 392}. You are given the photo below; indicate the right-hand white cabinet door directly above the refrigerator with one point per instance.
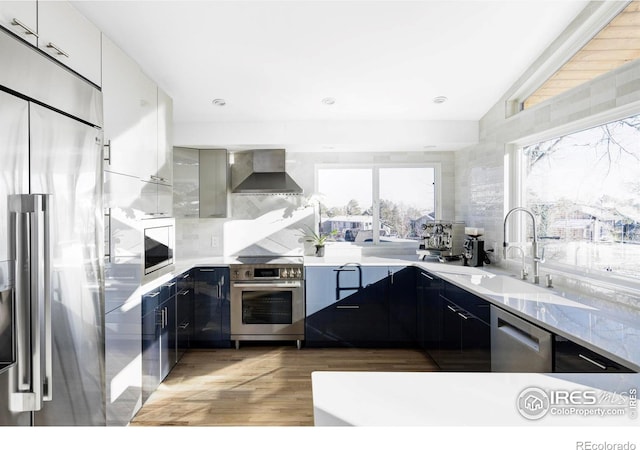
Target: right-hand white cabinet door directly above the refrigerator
{"x": 65, "y": 34}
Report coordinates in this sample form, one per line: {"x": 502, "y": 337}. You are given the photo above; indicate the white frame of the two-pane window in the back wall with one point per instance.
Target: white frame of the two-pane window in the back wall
{"x": 375, "y": 168}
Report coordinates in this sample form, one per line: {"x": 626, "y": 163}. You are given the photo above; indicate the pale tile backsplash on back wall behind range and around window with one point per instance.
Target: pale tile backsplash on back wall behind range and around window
{"x": 274, "y": 224}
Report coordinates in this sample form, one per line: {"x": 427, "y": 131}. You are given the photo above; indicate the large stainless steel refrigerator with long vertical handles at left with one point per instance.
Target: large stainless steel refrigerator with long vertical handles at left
{"x": 51, "y": 243}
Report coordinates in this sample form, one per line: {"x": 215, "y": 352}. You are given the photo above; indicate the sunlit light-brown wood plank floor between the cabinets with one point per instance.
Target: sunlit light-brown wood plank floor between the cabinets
{"x": 259, "y": 385}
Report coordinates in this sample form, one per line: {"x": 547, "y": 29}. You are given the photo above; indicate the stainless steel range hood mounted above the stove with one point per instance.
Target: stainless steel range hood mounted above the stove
{"x": 268, "y": 175}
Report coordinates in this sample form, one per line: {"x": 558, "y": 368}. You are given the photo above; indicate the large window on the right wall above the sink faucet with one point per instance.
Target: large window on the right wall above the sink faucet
{"x": 584, "y": 189}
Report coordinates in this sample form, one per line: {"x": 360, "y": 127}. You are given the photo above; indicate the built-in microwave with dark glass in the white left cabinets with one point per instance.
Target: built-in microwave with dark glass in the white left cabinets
{"x": 159, "y": 238}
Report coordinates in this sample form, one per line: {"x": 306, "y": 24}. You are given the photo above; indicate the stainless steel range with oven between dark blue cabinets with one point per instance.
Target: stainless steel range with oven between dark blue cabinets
{"x": 267, "y": 299}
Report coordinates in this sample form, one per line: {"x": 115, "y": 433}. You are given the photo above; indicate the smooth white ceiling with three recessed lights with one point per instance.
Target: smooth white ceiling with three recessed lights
{"x": 379, "y": 60}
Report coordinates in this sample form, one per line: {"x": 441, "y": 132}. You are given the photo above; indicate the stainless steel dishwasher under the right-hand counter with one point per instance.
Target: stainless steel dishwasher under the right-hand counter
{"x": 518, "y": 345}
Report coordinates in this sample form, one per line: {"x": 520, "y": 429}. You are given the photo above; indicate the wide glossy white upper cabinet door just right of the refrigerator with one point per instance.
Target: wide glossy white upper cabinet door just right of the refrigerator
{"x": 129, "y": 99}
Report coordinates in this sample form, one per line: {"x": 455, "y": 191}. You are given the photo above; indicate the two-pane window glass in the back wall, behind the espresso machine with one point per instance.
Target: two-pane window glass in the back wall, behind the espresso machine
{"x": 375, "y": 204}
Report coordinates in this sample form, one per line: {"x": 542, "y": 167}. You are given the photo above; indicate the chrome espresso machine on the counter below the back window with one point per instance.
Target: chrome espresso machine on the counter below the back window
{"x": 443, "y": 240}
